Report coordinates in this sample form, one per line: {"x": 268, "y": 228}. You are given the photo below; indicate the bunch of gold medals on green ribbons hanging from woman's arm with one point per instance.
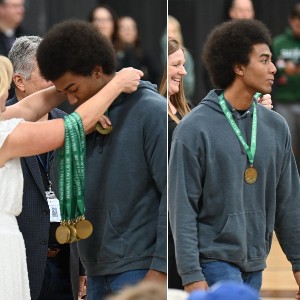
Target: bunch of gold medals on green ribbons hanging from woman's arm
{"x": 72, "y": 156}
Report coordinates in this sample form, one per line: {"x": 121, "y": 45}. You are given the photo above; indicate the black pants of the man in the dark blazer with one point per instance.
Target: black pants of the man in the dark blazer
{"x": 57, "y": 282}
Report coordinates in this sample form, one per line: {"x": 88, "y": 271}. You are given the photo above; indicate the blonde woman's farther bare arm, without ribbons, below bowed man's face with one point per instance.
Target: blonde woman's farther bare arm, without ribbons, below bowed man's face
{"x": 35, "y": 106}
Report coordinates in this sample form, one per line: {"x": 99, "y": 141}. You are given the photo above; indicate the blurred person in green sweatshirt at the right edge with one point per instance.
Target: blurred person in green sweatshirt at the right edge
{"x": 286, "y": 51}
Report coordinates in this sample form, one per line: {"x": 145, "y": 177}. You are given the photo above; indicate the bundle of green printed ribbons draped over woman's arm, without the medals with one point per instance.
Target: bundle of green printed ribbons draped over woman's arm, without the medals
{"x": 72, "y": 157}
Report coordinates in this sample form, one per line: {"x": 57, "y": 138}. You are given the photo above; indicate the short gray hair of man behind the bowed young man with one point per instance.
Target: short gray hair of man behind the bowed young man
{"x": 23, "y": 55}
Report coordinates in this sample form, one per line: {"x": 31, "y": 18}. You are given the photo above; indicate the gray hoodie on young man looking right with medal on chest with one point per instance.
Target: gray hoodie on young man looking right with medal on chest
{"x": 214, "y": 214}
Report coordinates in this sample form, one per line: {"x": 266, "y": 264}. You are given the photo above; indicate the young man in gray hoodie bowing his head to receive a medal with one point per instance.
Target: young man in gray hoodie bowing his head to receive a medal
{"x": 125, "y": 195}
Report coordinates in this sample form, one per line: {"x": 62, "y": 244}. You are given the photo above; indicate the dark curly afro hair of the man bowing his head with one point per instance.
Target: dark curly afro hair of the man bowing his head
{"x": 74, "y": 46}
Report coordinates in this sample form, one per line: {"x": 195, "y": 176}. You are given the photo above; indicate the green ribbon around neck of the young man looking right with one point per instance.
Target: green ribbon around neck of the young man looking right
{"x": 249, "y": 150}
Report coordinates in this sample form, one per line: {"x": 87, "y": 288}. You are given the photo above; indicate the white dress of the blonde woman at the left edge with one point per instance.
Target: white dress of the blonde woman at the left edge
{"x": 14, "y": 282}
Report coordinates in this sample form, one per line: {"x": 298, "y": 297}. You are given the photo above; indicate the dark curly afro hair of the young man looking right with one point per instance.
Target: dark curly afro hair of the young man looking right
{"x": 229, "y": 44}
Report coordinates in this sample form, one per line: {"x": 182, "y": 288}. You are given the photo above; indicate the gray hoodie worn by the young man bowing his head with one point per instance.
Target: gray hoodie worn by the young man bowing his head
{"x": 125, "y": 195}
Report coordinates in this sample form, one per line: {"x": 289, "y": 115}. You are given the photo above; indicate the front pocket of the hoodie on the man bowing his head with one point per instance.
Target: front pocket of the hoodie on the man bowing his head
{"x": 105, "y": 243}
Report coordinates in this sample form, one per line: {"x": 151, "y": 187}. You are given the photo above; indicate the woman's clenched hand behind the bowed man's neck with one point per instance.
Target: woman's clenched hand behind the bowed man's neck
{"x": 128, "y": 79}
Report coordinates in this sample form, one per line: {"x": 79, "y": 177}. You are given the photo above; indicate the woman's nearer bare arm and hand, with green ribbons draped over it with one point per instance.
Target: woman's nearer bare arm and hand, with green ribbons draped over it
{"x": 30, "y": 138}
